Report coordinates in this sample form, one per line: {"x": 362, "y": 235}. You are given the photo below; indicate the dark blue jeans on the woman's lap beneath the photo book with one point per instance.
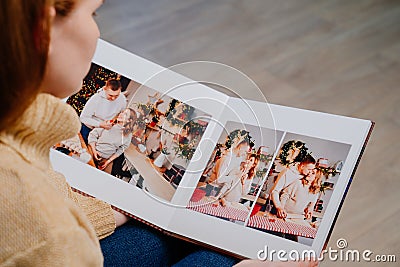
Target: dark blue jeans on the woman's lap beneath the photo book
{"x": 136, "y": 244}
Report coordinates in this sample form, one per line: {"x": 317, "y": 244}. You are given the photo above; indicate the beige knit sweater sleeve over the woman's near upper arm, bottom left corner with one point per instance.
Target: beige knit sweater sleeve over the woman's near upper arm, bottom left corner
{"x": 40, "y": 228}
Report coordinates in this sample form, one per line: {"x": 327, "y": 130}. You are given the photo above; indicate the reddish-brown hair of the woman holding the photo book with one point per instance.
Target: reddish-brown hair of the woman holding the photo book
{"x": 26, "y": 35}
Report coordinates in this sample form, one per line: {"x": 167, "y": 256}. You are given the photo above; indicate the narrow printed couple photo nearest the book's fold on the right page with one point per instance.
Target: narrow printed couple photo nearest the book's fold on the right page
{"x": 235, "y": 172}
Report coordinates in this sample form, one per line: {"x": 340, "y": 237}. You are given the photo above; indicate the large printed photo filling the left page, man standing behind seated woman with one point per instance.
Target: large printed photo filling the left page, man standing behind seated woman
{"x": 133, "y": 132}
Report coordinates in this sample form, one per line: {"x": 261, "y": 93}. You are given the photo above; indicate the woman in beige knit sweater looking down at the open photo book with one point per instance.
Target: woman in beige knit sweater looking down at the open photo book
{"x": 47, "y": 49}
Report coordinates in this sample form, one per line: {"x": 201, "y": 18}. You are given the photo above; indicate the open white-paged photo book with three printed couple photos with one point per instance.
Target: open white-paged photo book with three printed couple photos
{"x": 232, "y": 174}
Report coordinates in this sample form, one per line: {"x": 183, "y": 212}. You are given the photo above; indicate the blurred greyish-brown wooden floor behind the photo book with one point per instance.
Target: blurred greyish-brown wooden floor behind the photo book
{"x": 334, "y": 56}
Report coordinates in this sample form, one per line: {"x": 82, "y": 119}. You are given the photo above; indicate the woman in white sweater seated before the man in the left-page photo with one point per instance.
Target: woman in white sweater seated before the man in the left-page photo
{"x": 107, "y": 145}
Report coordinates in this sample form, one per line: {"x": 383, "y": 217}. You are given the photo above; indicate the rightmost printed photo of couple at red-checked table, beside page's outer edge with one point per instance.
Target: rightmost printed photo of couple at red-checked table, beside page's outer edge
{"x": 294, "y": 197}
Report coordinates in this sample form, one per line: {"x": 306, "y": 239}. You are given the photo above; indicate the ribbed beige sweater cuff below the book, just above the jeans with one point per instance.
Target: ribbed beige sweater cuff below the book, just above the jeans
{"x": 99, "y": 213}
